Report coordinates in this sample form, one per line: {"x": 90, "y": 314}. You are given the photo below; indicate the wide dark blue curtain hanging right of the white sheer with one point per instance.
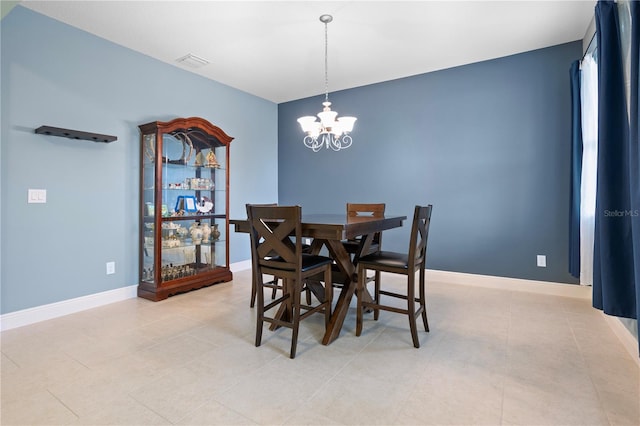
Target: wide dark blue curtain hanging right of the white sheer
{"x": 615, "y": 281}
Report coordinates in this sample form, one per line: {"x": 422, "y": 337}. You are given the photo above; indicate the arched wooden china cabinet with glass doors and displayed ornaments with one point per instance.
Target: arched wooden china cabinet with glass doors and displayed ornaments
{"x": 184, "y": 206}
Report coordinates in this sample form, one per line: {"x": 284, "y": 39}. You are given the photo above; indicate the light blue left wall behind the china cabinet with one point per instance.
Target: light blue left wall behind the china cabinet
{"x": 57, "y": 75}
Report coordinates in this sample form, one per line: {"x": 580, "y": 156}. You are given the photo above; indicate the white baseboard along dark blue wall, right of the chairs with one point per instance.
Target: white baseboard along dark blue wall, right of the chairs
{"x": 512, "y": 284}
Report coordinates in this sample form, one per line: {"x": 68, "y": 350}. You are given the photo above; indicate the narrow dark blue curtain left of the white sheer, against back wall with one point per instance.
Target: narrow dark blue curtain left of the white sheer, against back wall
{"x": 576, "y": 171}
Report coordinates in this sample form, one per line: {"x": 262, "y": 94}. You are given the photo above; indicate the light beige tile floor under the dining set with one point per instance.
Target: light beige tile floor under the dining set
{"x": 493, "y": 357}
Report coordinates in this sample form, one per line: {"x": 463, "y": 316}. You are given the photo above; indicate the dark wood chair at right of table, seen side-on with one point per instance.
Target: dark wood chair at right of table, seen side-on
{"x": 399, "y": 263}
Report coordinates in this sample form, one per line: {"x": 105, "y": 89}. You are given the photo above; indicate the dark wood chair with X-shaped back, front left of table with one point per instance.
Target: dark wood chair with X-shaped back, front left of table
{"x": 277, "y": 250}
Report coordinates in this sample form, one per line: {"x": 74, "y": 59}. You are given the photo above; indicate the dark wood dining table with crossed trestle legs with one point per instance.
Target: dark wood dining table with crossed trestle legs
{"x": 328, "y": 231}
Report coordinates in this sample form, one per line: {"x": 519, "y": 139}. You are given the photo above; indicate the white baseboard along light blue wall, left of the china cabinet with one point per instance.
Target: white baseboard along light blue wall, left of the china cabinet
{"x": 54, "y": 310}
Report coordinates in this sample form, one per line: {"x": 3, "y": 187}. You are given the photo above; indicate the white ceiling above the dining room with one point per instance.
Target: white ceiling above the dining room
{"x": 275, "y": 49}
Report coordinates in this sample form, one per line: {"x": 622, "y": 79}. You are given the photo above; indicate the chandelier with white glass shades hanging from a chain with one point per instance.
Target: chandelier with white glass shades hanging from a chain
{"x": 330, "y": 131}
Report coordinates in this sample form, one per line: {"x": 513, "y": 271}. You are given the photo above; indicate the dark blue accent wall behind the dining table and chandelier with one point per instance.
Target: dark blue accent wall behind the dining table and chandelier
{"x": 487, "y": 144}
